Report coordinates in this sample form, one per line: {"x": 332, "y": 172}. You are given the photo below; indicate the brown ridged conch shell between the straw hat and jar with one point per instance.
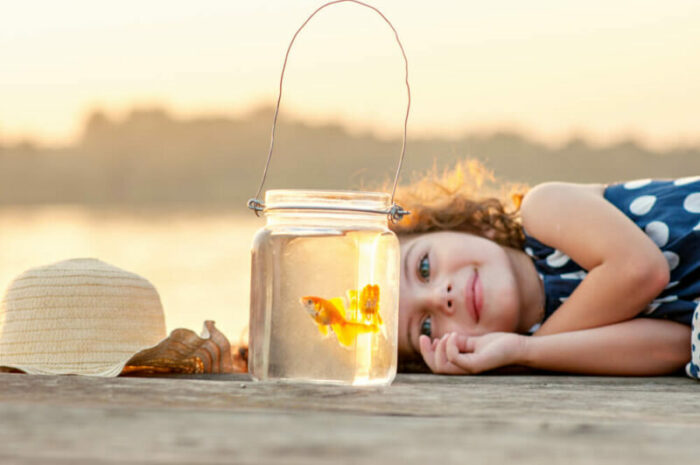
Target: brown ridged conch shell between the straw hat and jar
{"x": 185, "y": 352}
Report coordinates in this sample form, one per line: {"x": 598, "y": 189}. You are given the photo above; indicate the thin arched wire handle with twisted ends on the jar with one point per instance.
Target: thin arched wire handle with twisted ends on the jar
{"x": 395, "y": 212}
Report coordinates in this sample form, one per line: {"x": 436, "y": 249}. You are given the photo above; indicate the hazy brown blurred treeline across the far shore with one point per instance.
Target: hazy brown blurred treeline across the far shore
{"x": 153, "y": 158}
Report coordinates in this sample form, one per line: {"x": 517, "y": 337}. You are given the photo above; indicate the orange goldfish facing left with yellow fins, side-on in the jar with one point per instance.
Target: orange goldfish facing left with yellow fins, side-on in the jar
{"x": 331, "y": 313}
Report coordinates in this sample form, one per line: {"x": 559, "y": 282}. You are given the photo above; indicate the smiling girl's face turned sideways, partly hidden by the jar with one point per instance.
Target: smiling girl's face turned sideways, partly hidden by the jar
{"x": 454, "y": 281}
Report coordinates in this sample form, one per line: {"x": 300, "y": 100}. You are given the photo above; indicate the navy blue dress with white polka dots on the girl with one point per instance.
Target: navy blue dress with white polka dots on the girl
{"x": 669, "y": 213}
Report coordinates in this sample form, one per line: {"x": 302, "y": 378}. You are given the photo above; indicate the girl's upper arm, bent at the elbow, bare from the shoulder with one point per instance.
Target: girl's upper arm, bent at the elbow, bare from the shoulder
{"x": 626, "y": 270}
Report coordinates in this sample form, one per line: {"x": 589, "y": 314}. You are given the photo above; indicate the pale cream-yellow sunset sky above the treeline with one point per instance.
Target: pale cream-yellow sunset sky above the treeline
{"x": 603, "y": 69}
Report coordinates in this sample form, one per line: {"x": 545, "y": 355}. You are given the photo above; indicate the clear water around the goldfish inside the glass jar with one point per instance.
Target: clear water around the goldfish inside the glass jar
{"x": 287, "y": 342}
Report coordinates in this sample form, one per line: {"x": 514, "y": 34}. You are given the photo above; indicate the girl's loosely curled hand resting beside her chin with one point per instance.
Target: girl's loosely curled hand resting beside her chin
{"x": 457, "y": 354}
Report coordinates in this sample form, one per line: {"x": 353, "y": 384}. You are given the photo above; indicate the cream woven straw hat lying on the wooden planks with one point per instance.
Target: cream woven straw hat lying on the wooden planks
{"x": 79, "y": 316}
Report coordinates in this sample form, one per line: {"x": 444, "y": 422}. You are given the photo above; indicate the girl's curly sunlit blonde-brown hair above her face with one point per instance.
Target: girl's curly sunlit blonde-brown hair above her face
{"x": 465, "y": 198}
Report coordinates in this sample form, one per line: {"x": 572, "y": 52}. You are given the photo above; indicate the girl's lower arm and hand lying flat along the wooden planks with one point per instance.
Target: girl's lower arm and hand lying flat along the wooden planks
{"x": 640, "y": 347}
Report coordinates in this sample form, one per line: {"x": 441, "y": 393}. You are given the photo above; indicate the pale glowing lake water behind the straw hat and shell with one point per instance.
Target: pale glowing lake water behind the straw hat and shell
{"x": 198, "y": 262}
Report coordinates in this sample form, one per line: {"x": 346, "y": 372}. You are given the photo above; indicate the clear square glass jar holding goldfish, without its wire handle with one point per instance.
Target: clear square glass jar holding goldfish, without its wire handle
{"x": 325, "y": 289}
